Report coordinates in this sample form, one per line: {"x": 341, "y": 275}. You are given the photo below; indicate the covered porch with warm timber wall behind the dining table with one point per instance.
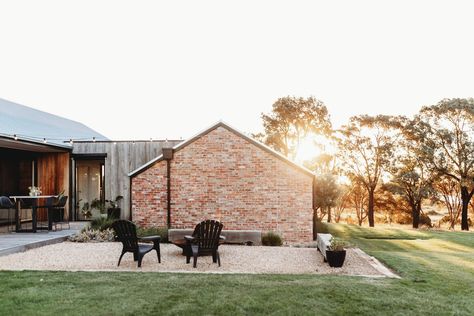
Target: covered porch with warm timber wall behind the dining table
{"x": 25, "y": 163}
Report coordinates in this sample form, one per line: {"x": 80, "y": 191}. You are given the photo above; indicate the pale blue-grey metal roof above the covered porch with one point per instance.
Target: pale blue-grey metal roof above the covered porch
{"x": 33, "y": 125}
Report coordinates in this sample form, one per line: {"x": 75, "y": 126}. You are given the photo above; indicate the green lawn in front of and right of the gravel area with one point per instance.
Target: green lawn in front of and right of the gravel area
{"x": 437, "y": 270}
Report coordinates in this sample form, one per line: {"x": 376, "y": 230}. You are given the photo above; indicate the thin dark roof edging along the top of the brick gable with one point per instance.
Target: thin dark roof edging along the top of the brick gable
{"x": 233, "y": 130}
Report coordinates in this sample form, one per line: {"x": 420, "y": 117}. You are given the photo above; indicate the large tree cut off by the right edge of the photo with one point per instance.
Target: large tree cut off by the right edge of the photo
{"x": 445, "y": 132}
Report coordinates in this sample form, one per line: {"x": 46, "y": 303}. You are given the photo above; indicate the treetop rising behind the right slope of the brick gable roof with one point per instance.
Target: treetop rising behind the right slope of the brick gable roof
{"x": 291, "y": 120}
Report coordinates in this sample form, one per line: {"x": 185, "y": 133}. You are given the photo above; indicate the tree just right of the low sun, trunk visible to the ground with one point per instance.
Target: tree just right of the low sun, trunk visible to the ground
{"x": 365, "y": 145}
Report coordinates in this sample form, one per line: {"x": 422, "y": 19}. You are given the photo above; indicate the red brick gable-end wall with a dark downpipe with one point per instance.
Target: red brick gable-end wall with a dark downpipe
{"x": 225, "y": 175}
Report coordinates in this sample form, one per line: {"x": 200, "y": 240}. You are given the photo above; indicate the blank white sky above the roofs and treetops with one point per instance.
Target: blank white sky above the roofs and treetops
{"x": 169, "y": 69}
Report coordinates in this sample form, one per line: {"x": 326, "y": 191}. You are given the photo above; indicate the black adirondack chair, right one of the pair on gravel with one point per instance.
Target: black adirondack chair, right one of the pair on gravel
{"x": 205, "y": 241}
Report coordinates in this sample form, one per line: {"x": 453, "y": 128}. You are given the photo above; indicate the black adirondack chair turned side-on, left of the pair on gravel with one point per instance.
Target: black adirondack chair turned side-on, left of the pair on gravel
{"x": 127, "y": 233}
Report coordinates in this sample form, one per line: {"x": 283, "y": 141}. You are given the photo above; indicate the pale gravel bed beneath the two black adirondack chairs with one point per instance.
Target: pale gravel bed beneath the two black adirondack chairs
{"x": 69, "y": 256}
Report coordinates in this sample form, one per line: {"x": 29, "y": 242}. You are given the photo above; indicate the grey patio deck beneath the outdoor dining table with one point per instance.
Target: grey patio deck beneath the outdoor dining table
{"x": 18, "y": 242}
